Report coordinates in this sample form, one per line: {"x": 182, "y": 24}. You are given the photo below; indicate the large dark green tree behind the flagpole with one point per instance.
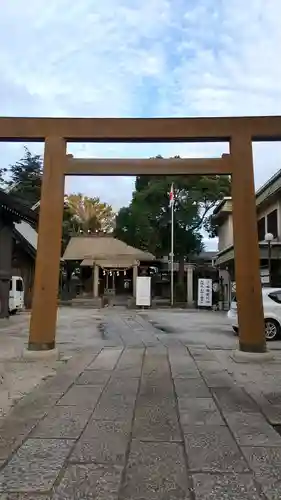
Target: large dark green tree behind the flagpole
{"x": 146, "y": 222}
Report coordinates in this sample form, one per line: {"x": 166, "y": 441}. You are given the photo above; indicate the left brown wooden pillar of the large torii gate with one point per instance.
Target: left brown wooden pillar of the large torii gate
{"x": 45, "y": 296}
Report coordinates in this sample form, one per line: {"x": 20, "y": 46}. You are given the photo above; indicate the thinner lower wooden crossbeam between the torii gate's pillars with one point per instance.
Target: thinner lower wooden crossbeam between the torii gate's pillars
{"x": 155, "y": 166}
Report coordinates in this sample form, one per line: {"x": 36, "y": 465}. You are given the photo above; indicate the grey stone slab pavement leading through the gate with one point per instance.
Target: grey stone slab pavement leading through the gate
{"x": 140, "y": 415}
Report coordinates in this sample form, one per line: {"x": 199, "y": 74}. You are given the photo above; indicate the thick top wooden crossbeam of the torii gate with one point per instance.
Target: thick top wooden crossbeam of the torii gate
{"x": 140, "y": 129}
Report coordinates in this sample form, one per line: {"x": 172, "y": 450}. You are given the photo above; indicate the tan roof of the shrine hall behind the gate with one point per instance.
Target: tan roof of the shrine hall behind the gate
{"x": 103, "y": 250}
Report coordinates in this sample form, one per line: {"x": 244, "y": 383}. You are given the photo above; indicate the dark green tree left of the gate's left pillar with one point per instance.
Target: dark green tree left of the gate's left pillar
{"x": 25, "y": 178}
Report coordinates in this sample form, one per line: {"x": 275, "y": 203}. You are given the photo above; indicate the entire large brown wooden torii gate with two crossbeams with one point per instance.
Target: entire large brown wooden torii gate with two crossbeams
{"x": 56, "y": 132}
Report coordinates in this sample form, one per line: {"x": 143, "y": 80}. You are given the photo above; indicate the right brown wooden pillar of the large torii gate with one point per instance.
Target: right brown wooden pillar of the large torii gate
{"x": 246, "y": 247}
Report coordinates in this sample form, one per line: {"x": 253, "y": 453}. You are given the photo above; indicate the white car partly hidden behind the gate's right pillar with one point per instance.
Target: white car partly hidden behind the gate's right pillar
{"x": 272, "y": 313}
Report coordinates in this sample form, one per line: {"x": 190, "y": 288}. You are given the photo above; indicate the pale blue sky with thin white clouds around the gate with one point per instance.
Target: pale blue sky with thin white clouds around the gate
{"x": 140, "y": 58}
